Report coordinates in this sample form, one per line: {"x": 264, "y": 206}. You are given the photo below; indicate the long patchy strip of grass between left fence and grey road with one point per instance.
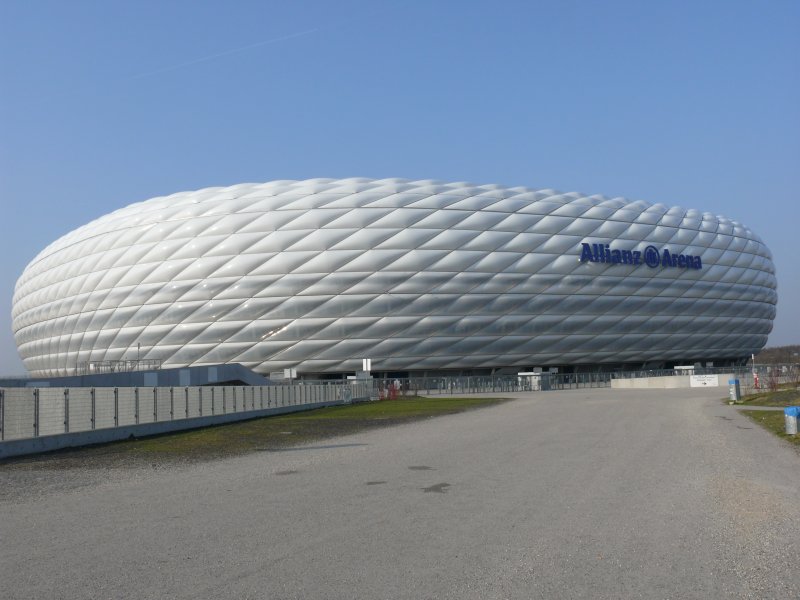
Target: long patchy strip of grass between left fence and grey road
{"x": 262, "y": 434}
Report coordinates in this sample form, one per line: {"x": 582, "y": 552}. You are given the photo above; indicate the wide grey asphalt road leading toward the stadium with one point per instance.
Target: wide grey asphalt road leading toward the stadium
{"x": 580, "y": 494}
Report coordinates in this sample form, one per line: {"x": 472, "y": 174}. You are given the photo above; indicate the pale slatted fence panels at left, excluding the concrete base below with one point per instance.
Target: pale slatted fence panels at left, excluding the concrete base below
{"x": 35, "y": 412}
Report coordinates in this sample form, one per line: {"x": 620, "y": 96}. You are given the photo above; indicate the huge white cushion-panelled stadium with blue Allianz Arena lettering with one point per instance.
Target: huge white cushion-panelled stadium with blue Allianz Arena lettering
{"x": 418, "y": 276}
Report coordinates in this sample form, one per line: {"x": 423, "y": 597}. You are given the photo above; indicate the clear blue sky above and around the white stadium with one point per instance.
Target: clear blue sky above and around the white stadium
{"x": 695, "y": 104}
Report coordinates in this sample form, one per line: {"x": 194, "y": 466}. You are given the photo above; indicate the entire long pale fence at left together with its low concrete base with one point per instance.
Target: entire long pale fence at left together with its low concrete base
{"x": 39, "y": 419}
